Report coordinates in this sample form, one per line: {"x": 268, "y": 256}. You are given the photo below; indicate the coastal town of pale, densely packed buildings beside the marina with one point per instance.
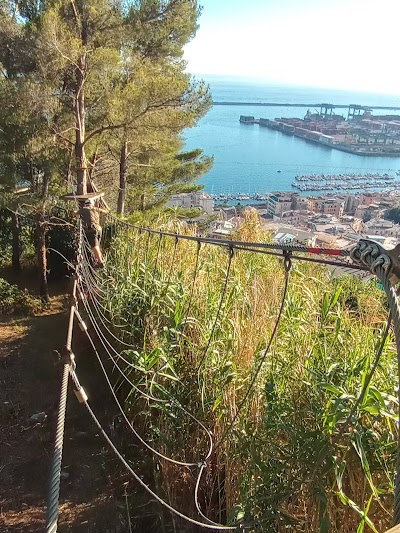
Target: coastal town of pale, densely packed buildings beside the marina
{"x": 329, "y": 220}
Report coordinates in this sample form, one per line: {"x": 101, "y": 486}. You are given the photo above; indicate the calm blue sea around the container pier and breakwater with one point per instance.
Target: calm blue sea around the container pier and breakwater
{"x": 247, "y": 158}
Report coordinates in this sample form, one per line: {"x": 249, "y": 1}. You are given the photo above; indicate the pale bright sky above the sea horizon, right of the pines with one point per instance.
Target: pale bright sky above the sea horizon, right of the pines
{"x": 338, "y": 44}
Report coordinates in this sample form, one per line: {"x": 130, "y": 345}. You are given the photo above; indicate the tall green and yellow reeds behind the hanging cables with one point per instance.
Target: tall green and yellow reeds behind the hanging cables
{"x": 292, "y": 460}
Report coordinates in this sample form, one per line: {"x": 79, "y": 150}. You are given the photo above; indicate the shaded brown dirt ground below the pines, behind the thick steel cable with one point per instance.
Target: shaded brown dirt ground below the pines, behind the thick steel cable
{"x": 91, "y": 498}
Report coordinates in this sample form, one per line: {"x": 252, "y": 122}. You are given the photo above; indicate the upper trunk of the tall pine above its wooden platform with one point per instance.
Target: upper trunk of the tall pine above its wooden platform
{"x": 81, "y": 166}
